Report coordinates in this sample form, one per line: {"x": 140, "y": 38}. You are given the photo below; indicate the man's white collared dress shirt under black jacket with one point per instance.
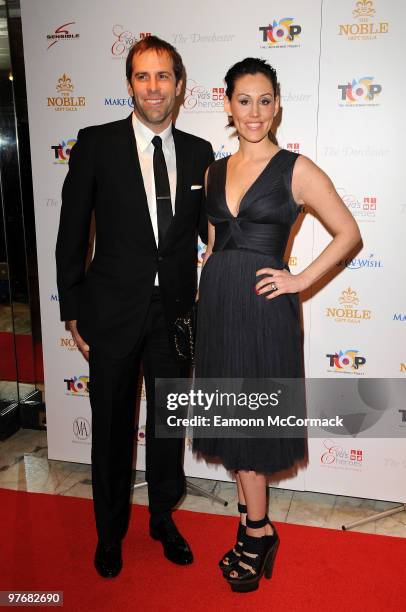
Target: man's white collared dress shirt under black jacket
{"x": 145, "y": 148}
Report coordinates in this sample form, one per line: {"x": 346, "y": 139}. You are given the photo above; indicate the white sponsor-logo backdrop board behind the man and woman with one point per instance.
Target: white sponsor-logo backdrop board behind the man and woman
{"x": 340, "y": 67}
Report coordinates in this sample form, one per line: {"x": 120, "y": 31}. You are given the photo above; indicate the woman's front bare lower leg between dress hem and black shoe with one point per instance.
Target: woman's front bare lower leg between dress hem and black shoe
{"x": 253, "y": 487}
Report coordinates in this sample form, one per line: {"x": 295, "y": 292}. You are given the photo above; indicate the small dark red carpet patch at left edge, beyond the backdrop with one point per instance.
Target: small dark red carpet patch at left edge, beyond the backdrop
{"x": 28, "y": 371}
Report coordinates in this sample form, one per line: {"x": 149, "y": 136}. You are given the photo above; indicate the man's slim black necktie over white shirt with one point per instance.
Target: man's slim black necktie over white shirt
{"x": 162, "y": 190}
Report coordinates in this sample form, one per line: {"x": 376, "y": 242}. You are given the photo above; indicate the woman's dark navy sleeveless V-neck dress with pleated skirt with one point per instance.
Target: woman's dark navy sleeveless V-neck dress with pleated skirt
{"x": 241, "y": 334}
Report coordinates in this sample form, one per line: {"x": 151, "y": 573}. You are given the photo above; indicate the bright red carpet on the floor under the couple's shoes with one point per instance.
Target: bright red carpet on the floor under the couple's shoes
{"x": 47, "y": 543}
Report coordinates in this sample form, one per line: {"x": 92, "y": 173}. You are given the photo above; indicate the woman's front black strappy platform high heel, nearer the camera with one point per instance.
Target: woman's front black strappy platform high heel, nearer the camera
{"x": 257, "y": 558}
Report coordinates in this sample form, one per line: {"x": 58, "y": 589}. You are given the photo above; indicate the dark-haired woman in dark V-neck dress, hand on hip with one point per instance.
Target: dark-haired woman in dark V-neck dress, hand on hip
{"x": 249, "y": 321}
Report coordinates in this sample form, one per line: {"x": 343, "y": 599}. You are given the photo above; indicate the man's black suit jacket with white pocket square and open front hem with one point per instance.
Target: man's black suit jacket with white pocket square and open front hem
{"x": 110, "y": 300}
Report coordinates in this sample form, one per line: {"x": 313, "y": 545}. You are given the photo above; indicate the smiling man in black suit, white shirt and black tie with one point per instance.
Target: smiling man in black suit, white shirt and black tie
{"x": 144, "y": 180}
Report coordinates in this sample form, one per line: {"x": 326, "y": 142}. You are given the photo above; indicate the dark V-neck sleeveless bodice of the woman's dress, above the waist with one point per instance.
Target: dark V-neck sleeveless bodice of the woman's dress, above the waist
{"x": 267, "y": 209}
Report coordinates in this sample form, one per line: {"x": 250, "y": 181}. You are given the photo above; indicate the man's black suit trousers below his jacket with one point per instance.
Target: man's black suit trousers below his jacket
{"x": 113, "y": 391}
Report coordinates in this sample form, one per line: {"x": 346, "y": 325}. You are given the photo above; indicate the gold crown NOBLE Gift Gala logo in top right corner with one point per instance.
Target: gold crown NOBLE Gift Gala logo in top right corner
{"x": 363, "y": 27}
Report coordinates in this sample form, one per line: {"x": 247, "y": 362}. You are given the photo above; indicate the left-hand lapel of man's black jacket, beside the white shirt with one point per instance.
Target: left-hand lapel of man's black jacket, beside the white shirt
{"x": 135, "y": 179}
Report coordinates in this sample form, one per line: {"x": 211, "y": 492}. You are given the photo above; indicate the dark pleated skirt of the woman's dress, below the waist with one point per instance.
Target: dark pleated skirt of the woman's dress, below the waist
{"x": 243, "y": 335}
